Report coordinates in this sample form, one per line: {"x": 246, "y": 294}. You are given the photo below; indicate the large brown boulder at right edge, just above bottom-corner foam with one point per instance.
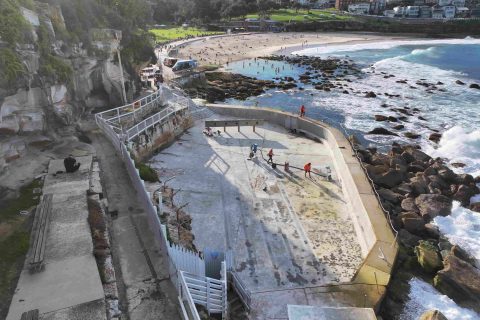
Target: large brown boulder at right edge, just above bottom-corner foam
{"x": 460, "y": 281}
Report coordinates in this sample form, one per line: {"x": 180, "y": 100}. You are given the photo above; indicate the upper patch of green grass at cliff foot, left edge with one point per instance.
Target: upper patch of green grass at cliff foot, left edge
{"x": 26, "y": 200}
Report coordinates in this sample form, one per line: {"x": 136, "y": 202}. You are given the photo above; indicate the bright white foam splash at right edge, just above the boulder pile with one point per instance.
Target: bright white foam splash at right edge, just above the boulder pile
{"x": 459, "y": 145}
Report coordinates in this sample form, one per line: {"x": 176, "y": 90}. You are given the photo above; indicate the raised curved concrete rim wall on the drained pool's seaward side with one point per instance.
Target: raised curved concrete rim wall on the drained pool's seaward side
{"x": 377, "y": 240}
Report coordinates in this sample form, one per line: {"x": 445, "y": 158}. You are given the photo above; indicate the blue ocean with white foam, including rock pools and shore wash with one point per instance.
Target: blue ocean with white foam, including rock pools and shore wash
{"x": 455, "y": 113}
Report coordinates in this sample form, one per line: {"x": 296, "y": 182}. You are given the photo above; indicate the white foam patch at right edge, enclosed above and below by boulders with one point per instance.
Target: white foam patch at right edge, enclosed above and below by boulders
{"x": 462, "y": 227}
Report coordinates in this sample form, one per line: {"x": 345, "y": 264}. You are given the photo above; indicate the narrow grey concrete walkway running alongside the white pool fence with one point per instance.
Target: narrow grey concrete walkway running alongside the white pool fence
{"x": 142, "y": 270}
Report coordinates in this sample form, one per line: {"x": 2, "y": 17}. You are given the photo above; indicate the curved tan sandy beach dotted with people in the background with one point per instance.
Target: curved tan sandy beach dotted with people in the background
{"x": 220, "y": 50}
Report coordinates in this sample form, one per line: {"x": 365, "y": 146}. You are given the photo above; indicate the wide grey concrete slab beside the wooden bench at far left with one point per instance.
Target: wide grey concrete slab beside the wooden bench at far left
{"x": 70, "y": 285}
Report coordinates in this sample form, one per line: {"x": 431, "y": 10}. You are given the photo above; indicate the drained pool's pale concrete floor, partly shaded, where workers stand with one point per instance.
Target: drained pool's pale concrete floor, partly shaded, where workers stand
{"x": 296, "y": 234}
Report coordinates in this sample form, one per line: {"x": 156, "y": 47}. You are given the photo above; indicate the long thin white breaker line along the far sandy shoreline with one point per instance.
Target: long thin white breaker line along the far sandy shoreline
{"x": 328, "y": 49}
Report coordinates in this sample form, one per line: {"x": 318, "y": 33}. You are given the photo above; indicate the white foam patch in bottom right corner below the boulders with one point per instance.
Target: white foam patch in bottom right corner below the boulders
{"x": 423, "y": 297}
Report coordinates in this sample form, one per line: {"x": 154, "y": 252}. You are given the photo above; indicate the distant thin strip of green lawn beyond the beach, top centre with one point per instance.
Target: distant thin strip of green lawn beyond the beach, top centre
{"x": 290, "y": 15}
